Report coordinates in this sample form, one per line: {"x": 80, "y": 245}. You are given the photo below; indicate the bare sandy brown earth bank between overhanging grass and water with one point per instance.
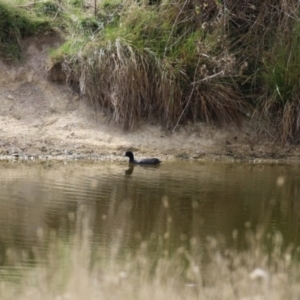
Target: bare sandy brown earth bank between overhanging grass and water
{"x": 41, "y": 120}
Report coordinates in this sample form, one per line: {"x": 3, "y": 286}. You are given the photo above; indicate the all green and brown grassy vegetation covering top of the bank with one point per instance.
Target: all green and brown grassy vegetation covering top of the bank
{"x": 179, "y": 60}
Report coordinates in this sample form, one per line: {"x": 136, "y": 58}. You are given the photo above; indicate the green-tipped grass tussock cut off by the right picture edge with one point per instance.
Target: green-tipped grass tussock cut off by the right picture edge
{"x": 280, "y": 100}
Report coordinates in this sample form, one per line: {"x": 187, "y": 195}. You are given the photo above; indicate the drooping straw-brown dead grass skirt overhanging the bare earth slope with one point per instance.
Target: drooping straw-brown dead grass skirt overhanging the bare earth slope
{"x": 129, "y": 90}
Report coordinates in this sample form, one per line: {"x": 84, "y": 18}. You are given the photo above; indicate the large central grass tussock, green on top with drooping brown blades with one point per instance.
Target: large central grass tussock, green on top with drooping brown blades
{"x": 156, "y": 62}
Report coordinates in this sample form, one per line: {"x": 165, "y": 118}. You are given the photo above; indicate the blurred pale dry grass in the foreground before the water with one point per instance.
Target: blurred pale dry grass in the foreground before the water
{"x": 79, "y": 267}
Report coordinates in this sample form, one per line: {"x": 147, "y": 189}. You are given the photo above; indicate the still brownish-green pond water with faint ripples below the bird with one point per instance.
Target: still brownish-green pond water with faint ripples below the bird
{"x": 175, "y": 201}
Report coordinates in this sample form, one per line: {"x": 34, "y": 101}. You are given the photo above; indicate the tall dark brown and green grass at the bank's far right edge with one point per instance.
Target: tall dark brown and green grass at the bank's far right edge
{"x": 266, "y": 35}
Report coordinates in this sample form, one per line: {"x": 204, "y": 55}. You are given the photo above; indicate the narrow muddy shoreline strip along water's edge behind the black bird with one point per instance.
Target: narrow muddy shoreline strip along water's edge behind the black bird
{"x": 88, "y": 154}
